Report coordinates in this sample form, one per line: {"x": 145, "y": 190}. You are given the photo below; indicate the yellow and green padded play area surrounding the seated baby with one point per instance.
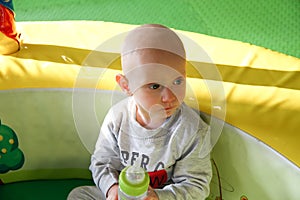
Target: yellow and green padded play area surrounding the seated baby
{"x": 56, "y": 90}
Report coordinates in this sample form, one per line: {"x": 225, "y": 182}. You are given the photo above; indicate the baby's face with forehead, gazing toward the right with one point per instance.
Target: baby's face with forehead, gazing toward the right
{"x": 157, "y": 80}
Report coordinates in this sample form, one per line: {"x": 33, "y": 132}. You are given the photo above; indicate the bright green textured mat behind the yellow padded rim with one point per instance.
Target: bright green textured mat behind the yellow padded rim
{"x": 274, "y": 24}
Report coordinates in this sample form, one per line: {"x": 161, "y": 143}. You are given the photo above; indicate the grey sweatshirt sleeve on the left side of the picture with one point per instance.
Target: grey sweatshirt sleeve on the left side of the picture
{"x": 105, "y": 161}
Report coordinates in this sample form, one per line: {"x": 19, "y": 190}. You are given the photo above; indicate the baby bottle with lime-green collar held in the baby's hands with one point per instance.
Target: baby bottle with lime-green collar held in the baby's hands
{"x": 133, "y": 183}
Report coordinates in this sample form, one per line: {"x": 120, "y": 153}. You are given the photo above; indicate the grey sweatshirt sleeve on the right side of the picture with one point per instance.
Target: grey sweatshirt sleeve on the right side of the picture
{"x": 192, "y": 173}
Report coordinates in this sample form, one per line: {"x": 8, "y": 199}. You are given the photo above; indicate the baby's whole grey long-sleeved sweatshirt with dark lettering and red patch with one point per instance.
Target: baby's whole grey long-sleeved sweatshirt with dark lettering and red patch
{"x": 172, "y": 154}
